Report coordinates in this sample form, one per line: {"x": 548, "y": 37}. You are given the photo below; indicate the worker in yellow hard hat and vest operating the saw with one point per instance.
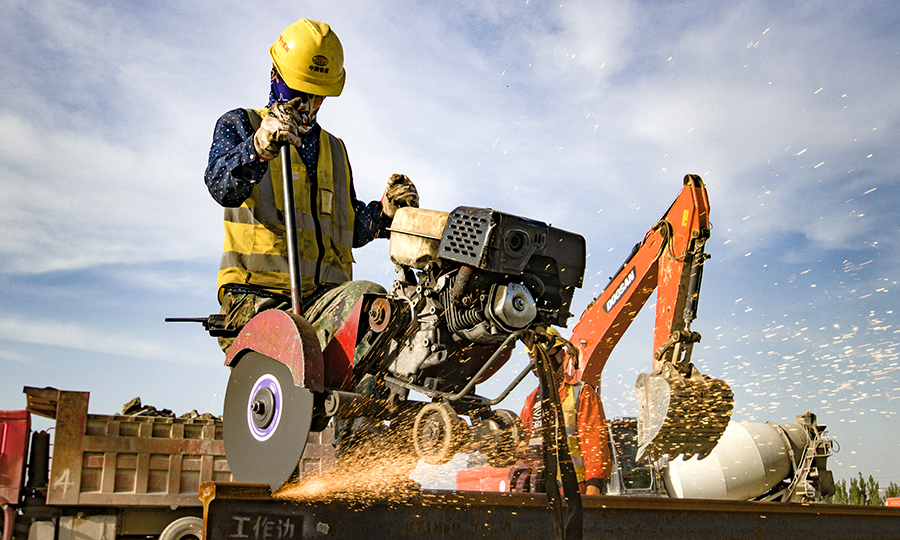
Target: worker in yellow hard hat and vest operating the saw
{"x": 244, "y": 176}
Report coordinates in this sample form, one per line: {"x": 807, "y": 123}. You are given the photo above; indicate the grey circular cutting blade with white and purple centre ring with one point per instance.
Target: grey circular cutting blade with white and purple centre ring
{"x": 267, "y": 421}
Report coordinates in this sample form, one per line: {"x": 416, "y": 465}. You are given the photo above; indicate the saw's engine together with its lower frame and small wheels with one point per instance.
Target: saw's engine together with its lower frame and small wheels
{"x": 469, "y": 282}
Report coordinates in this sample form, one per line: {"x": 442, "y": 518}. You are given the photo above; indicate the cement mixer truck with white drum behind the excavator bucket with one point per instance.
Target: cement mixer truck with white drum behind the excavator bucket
{"x": 752, "y": 461}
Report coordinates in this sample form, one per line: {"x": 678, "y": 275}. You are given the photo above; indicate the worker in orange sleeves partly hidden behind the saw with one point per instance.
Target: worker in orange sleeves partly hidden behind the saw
{"x": 585, "y": 422}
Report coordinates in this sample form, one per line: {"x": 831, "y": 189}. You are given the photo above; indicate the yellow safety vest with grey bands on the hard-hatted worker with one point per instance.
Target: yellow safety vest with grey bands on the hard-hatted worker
{"x": 255, "y": 250}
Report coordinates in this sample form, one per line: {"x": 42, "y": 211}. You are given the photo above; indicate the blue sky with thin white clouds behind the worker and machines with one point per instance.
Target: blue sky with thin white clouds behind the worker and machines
{"x": 583, "y": 114}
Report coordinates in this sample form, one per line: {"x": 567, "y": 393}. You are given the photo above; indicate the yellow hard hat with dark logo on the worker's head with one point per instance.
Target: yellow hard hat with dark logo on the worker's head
{"x": 309, "y": 57}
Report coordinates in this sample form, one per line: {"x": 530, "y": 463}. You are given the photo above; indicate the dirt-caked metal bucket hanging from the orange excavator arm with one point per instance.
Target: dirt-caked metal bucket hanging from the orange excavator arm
{"x": 680, "y": 414}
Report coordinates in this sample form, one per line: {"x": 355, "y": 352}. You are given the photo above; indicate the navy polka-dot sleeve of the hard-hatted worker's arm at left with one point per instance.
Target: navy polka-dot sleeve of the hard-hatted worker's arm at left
{"x": 234, "y": 166}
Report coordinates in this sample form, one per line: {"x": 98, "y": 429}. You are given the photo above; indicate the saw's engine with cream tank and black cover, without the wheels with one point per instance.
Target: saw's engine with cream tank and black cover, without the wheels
{"x": 468, "y": 281}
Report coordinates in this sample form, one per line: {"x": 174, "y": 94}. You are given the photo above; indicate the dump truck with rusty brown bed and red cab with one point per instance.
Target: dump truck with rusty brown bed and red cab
{"x": 110, "y": 476}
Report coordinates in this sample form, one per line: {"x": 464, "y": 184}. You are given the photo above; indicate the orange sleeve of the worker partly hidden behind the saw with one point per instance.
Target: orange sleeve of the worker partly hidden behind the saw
{"x": 594, "y": 439}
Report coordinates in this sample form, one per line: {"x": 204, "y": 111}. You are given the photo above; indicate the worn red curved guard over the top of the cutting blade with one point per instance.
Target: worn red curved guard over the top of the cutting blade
{"x": 286, "y": 338}
